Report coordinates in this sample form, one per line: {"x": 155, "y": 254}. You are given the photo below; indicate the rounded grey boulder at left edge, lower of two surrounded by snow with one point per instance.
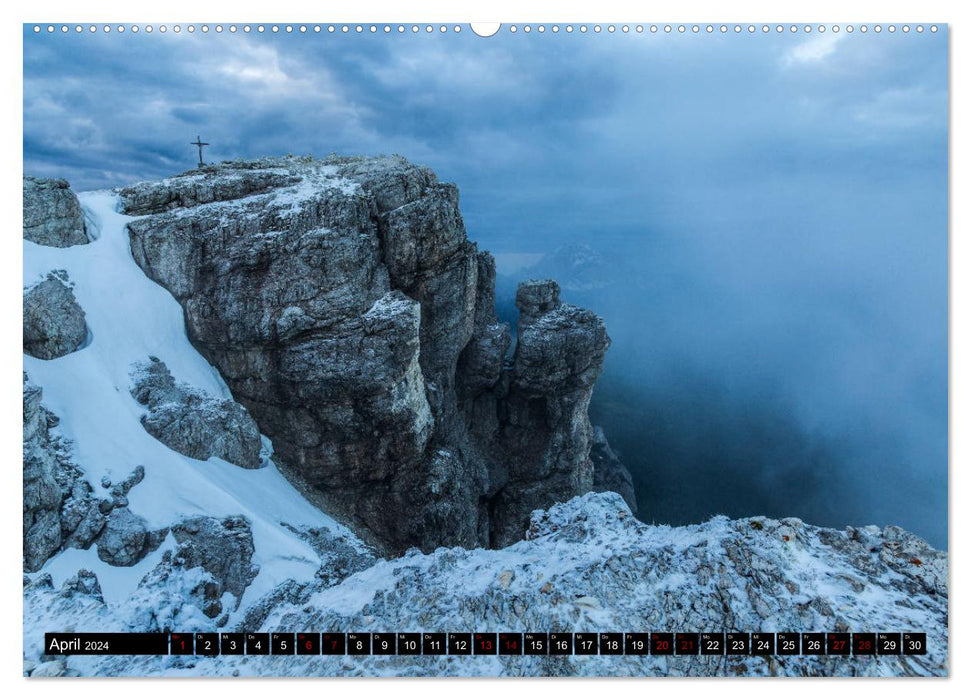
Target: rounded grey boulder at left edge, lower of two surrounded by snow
{"x": 54, "y": 322}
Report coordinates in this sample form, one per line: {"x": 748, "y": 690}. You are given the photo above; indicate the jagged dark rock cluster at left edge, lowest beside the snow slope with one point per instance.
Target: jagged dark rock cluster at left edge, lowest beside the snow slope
{"x": 60, "y": 507}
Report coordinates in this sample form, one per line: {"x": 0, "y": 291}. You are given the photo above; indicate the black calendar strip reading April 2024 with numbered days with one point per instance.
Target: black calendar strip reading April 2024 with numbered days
{"x": 489, "y": 643}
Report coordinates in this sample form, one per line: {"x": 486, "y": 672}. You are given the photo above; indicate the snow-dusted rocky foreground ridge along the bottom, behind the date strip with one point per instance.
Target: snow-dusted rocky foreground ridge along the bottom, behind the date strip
{"x": 586, "y": 565}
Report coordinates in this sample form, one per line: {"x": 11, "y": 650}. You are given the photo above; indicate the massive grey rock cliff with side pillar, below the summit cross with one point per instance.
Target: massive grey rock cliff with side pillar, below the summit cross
{"x": 349, "y": 313}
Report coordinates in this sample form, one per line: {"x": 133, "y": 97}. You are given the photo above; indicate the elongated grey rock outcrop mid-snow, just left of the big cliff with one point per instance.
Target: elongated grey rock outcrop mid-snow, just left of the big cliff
{"x": 194, "y": 424}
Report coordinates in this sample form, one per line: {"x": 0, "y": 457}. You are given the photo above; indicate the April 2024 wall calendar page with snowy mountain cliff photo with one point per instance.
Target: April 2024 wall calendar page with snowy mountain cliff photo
{"x": 524, "y": 349}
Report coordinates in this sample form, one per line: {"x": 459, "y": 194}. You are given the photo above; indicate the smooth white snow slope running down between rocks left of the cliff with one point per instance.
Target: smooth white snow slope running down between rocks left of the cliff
{"x": 131, "y": 318}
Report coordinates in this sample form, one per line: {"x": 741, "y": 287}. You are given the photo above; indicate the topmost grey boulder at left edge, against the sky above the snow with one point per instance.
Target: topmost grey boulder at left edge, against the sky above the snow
{"x": 52, "y": 213}
